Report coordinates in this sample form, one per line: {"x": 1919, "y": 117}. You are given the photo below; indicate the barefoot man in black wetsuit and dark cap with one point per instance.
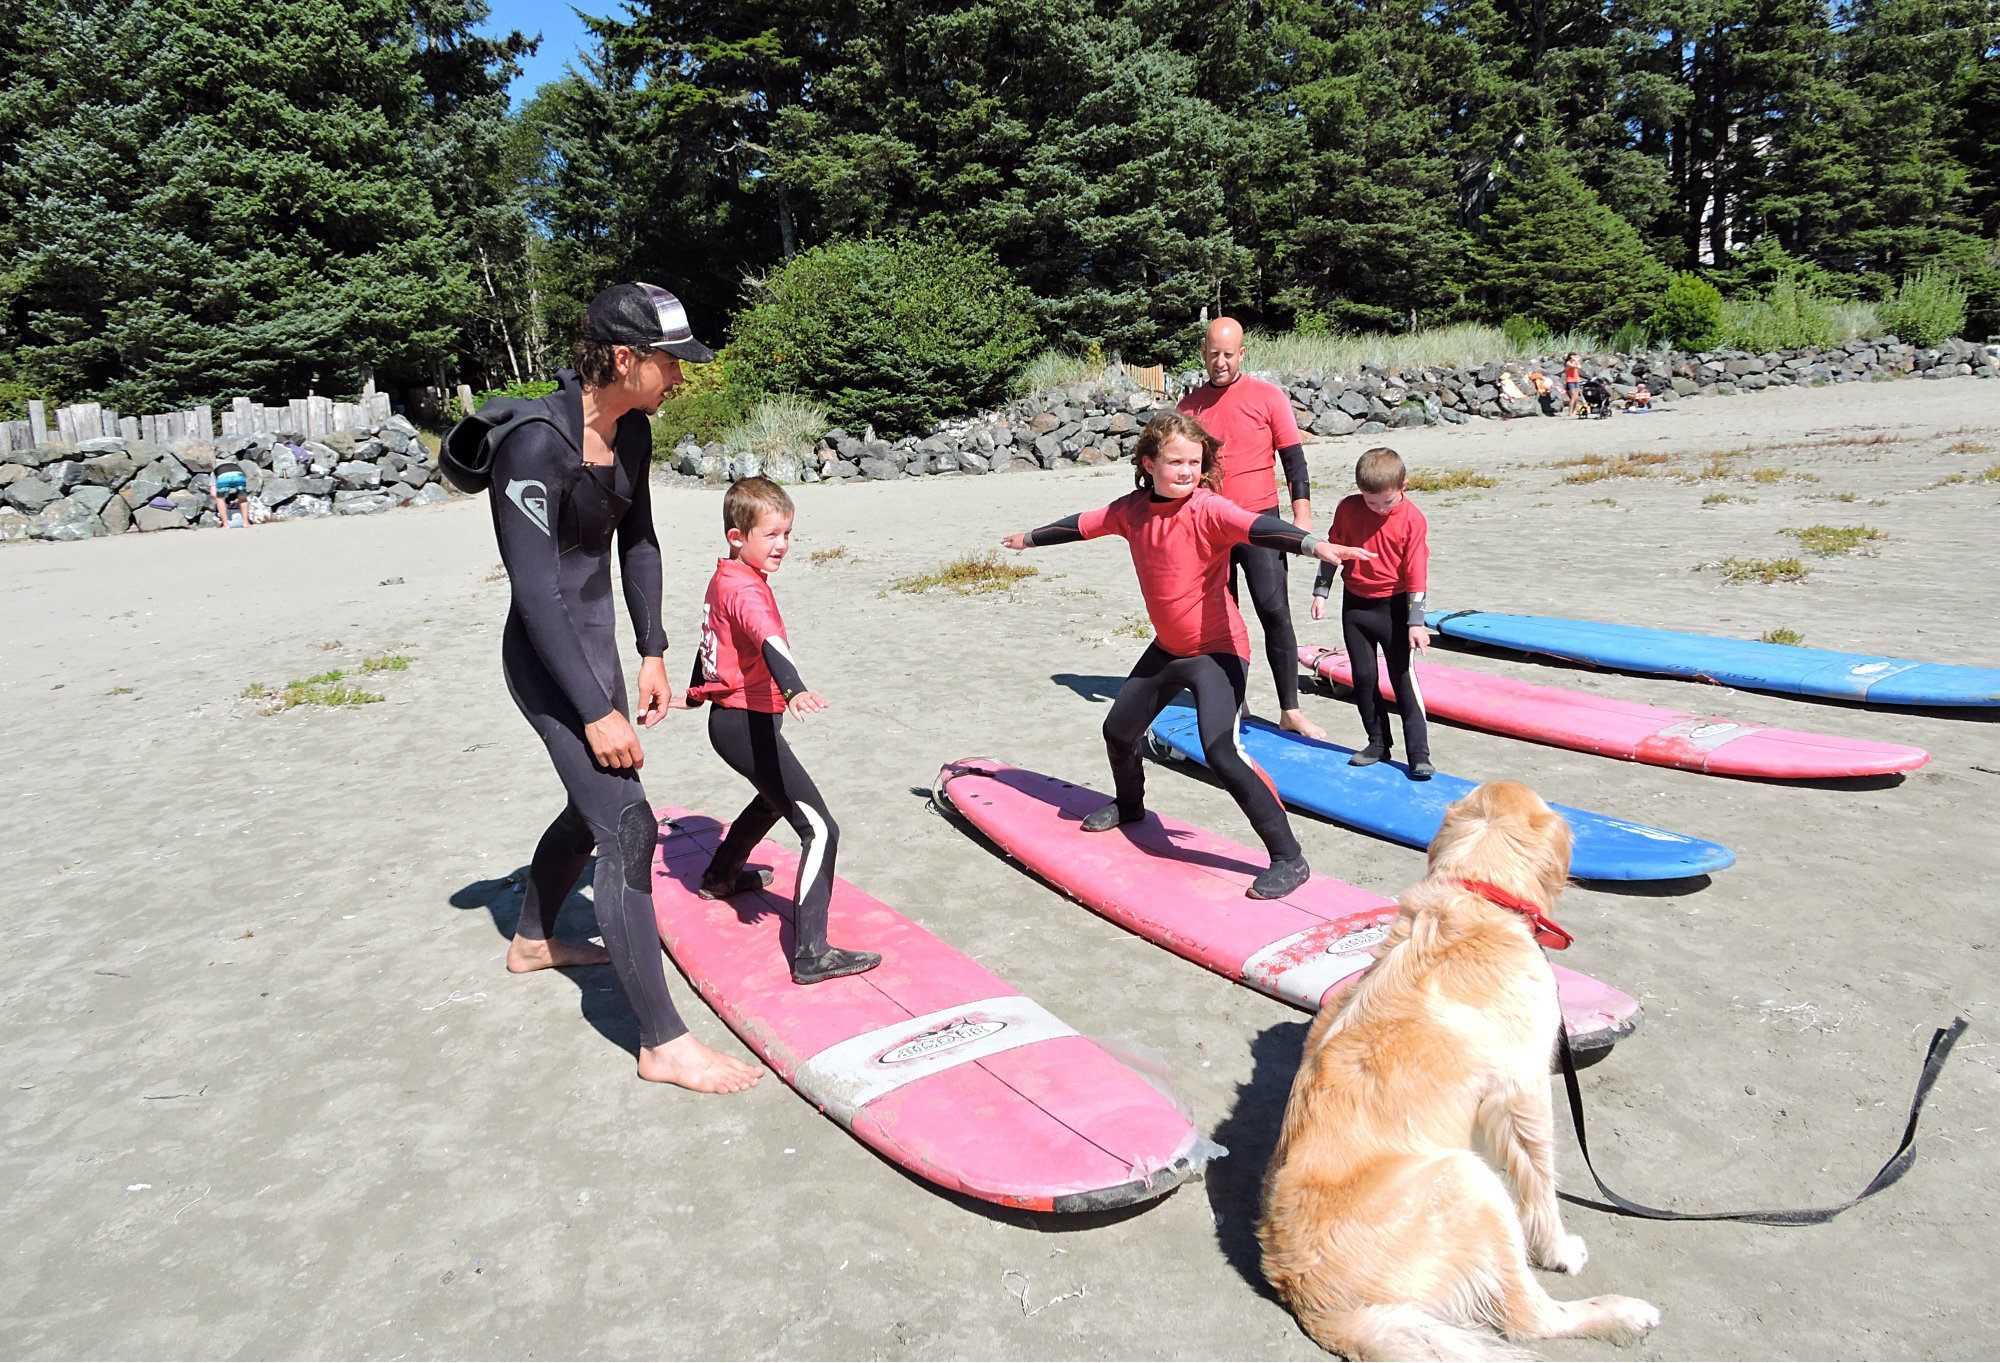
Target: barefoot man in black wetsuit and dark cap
{"x": 563, "y": 489}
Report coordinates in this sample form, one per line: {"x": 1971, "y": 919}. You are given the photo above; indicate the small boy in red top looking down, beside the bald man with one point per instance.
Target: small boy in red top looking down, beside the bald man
{"x": 1383, "y": 605}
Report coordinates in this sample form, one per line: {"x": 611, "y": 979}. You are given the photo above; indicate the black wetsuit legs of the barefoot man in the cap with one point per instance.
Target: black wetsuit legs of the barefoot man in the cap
{"x": 607, "y": 810}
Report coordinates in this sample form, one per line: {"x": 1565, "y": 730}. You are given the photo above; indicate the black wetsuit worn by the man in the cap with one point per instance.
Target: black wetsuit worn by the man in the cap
{"x": 555, "y": 519}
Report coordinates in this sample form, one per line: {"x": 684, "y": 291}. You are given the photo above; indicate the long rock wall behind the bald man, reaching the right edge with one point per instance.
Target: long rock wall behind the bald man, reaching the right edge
{"x": 1099, "y": 423}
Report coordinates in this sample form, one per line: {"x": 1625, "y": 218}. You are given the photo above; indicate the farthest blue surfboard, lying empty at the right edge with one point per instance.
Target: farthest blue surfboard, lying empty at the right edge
{"x": 1751, "y": 665}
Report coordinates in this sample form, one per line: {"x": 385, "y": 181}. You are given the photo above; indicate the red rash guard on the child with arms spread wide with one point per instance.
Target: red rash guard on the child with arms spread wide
{"x": 1181, "y": 553}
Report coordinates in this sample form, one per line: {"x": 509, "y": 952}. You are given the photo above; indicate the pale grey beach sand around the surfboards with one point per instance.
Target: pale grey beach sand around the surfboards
{"x": 269, "y": 1092}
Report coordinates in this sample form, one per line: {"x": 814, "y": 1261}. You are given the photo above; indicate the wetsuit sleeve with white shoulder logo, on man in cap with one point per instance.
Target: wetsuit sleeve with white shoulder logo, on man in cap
{"x": 529, "y": 489}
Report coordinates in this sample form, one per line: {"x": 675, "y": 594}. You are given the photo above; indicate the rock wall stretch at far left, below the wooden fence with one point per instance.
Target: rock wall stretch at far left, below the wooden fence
{"x": 115, "y": 485}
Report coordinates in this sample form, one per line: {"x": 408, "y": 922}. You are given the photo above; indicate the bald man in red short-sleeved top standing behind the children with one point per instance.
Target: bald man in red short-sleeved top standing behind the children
{"x": 1259, "y": 433}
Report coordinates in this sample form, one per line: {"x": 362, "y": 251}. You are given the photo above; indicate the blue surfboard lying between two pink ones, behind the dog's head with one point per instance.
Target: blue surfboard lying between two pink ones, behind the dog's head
{"x": 1383, "y": 800}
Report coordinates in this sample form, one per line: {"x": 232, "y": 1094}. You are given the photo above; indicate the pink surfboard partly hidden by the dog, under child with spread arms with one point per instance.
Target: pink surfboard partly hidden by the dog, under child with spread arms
{"x": 1183, "y": 888}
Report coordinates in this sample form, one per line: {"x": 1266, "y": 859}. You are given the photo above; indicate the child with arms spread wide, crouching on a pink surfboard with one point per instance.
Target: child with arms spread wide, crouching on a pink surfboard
{"x": 1181, "y": 537}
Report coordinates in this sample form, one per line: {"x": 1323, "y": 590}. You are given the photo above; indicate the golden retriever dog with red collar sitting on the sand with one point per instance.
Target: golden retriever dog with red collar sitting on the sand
{"x": 1385, "y": 1228}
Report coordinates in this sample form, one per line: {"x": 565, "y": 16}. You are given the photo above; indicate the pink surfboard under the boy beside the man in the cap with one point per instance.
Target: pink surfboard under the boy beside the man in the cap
{"x": 931, "y": 1060}
